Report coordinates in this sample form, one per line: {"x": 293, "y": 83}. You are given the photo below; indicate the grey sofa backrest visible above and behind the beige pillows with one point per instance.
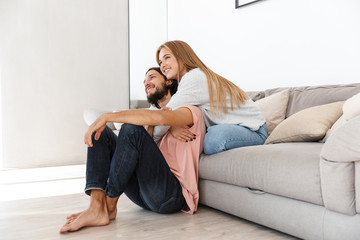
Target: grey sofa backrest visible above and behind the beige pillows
{"x": 305, "y": 97}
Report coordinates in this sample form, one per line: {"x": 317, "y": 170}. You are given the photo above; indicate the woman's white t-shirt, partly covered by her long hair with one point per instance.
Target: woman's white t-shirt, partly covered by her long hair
{"x": 193, "y": 90}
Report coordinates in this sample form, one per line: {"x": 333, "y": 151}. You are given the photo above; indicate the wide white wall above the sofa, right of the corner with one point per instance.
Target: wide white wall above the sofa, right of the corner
{"x": 272, "y": 43}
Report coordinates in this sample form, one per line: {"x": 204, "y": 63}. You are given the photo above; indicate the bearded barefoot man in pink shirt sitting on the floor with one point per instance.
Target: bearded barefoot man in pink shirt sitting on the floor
{"x": 134, "y": 164}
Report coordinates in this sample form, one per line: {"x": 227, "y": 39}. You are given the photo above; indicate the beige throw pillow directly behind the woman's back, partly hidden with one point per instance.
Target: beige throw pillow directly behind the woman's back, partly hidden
{"x": 273, "y": 108}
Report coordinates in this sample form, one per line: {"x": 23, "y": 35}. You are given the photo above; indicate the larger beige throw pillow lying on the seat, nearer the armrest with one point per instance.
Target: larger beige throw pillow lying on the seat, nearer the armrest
{"x": 310, "y": 124}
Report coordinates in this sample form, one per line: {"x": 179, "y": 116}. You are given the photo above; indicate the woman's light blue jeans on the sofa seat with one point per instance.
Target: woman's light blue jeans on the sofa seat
{"x": 223, "y": 137}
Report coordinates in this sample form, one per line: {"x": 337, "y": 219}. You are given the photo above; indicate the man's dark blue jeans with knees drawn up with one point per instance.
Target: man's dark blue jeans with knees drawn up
{"x": 132, "y": 163}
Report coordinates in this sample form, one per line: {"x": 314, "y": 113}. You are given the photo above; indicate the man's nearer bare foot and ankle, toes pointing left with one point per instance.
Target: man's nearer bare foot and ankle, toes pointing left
{"x": 95, "y": 215}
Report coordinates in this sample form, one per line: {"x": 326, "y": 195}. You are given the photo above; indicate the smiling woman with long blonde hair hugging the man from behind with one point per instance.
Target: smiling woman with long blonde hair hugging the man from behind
{"x": 232, "y": 118}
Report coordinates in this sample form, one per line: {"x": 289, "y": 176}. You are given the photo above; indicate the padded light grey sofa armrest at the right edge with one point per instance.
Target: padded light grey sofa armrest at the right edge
{"x": 339, "y": 158}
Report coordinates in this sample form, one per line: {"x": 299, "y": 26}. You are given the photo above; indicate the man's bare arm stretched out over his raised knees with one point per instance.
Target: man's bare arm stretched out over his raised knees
{"x": 179, "y": 117}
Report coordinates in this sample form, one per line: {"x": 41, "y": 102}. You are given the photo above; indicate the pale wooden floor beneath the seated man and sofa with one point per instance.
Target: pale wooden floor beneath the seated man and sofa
{"x": 42, "y": 217}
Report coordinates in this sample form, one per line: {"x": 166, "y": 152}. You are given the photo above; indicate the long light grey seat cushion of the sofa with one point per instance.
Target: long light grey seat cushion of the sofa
{"x": 286, "y": 169}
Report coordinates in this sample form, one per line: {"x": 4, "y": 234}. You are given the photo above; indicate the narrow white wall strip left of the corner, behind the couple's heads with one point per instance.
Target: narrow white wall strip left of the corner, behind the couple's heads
{"x": 148, "y": 30}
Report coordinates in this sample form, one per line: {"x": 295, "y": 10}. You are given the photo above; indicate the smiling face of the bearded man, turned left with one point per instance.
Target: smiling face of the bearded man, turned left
{"x": 156, "y": 87}
